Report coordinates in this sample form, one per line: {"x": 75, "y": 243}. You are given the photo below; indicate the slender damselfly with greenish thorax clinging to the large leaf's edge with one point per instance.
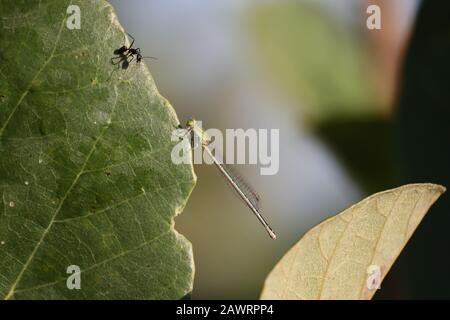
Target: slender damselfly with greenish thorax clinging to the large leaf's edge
{"x": 245, "y": 192}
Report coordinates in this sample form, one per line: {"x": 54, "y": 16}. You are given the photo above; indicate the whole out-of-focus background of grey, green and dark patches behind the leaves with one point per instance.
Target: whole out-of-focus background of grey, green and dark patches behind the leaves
{"x": 359, "y": 111}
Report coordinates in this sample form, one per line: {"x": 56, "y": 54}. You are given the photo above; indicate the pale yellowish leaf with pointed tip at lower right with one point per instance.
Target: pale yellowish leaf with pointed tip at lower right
{"x": 332, "y": 260}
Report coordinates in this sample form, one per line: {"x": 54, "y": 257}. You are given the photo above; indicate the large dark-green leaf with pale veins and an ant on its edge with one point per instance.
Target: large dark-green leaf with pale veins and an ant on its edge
{"x": 86, "y": 176}
